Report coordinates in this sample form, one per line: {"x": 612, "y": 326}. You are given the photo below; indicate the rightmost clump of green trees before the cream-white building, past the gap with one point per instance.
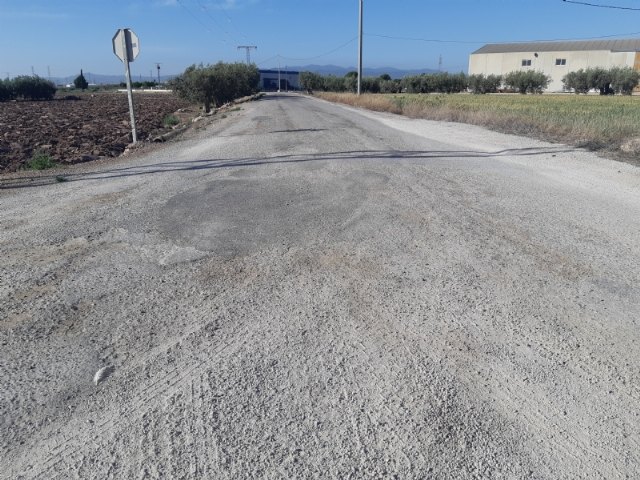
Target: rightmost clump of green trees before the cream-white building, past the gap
{"x": 620, "y": 80}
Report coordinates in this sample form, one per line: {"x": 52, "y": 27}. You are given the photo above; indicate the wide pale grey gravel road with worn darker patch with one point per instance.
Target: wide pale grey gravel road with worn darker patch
{"x": 304, "y": 290}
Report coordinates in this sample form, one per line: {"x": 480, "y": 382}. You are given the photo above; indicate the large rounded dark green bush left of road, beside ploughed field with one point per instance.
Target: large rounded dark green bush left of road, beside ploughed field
{"x": 215, "y": 85}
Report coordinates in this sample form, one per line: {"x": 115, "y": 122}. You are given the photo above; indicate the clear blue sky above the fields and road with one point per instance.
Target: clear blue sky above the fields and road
{"x": 59, "y": 37}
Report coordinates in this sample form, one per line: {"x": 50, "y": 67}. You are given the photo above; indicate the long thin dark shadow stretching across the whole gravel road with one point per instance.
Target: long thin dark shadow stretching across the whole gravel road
{"x": 155, "y": 168}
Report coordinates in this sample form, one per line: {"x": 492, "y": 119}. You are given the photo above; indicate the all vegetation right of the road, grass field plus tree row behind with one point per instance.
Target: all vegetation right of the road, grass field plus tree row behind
{"x": 606, "y": 122}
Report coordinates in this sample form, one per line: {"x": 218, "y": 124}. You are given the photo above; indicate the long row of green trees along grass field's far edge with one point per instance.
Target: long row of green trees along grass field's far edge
{"x": 615, "y": 80}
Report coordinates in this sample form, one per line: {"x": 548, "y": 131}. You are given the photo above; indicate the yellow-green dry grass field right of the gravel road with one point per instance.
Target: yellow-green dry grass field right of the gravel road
{"x": 610, "y": 124}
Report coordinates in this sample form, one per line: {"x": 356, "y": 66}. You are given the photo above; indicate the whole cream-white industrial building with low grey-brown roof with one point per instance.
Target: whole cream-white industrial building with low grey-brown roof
{"x": 555, "y": 59}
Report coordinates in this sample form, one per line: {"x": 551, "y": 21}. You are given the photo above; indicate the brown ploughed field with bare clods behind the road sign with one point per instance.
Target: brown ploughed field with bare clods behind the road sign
{"x": 79, "y": 128}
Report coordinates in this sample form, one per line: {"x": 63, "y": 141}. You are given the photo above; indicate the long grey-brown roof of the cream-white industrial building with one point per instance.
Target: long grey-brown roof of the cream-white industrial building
{"x": 621, "y": 45}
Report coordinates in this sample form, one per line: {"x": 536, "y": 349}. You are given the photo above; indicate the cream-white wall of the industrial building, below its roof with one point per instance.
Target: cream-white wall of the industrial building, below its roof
{"x": 503, "y": 63}
